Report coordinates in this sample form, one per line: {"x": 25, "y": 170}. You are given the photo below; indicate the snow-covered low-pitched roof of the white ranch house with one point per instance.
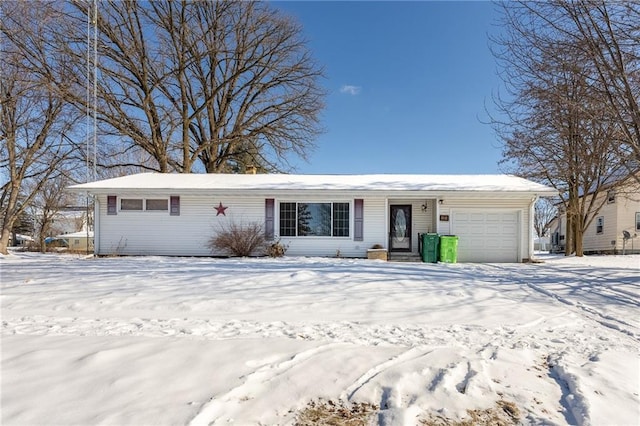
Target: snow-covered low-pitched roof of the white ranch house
{"x": 291, "y": 182}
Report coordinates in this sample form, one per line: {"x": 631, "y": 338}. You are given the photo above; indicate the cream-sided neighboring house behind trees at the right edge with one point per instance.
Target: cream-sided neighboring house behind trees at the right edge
{"x": 616, "y": 227}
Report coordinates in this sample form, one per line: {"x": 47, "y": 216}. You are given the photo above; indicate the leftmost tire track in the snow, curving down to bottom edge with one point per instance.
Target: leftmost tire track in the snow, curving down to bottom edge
{"x": 224, "y": 407}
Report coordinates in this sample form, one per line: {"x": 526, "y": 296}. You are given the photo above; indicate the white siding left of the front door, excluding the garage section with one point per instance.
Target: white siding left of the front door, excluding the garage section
{"x": 158, "y": 233}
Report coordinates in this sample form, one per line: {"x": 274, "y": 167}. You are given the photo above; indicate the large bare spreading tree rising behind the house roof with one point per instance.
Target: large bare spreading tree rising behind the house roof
{"x": 204, "y": 86}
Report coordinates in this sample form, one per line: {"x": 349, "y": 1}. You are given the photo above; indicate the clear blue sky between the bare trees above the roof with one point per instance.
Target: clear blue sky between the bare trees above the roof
{"x": 408, "y": 84}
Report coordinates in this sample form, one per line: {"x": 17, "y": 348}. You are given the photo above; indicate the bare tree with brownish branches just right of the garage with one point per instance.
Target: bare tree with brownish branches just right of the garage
{"x": 556, "y": 128}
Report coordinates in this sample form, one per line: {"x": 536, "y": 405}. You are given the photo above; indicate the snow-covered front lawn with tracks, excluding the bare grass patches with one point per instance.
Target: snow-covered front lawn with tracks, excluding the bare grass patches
{"x": 160, "y": 341}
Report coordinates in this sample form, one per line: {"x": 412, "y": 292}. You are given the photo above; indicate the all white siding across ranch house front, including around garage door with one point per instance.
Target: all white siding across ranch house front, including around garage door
{"x": 160, "y": 233}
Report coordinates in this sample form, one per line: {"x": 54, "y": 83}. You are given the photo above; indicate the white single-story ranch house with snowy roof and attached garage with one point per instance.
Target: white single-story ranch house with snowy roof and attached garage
{"x": 317, "y": 215}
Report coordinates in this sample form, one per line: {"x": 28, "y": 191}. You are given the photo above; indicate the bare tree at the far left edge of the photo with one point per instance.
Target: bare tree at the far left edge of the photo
{"x": 35, "y": 123}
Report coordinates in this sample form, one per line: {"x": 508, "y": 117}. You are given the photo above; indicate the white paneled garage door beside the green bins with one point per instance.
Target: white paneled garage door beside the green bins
{"x": 486, "y": 236}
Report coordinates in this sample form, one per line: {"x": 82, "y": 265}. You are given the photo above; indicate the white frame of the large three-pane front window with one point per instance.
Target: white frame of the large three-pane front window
{"x": 289, "y": 219}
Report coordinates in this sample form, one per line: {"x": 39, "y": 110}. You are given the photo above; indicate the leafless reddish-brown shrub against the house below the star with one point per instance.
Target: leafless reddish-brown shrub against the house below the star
{"x": 237, "y": 239}
